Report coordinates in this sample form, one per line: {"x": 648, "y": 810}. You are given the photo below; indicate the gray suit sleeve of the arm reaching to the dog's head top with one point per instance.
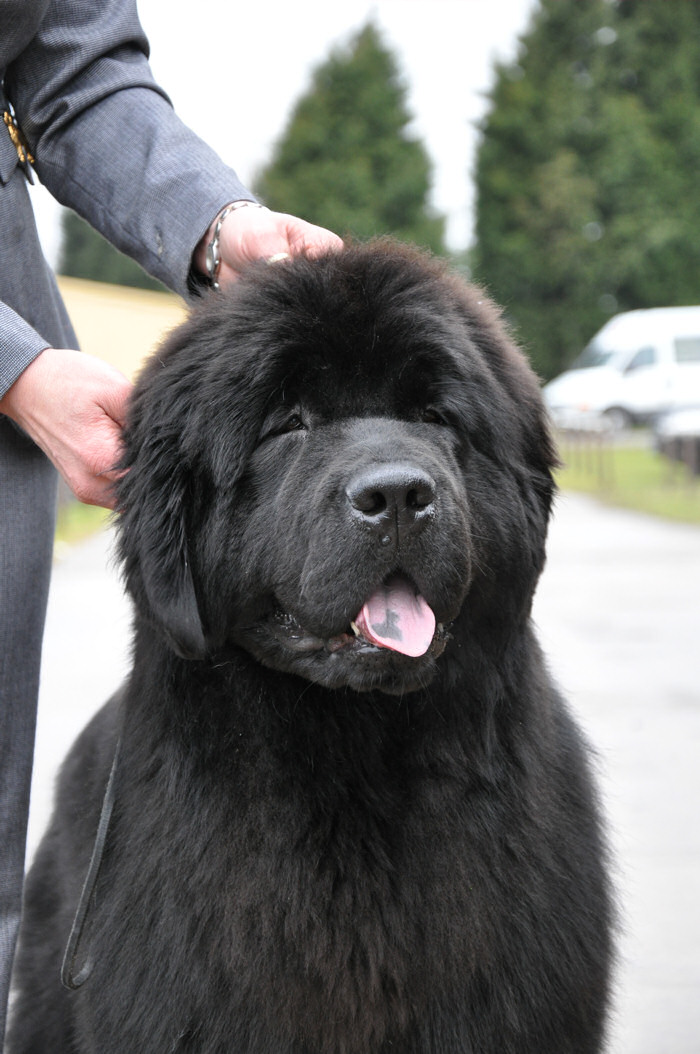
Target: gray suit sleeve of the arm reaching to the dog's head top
{"x": 107, "y": 142}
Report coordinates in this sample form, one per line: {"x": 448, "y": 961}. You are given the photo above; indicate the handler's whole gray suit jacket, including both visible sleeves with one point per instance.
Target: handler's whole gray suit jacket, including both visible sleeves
{"x": 107, "y": 144}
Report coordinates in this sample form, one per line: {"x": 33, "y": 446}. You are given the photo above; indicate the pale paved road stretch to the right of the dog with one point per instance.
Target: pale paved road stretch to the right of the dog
{"x": 619, "y": 615}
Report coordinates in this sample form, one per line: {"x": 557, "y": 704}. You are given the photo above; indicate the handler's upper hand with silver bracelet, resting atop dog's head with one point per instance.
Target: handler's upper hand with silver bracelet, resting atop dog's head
{"x": 250, "y": 233}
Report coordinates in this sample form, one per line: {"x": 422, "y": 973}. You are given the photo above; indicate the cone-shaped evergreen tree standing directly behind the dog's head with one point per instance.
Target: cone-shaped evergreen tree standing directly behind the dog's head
{"x": 347, "y": 160}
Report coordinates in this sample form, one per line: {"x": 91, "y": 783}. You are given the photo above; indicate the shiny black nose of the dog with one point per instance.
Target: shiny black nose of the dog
{"x": 393, "y": 499}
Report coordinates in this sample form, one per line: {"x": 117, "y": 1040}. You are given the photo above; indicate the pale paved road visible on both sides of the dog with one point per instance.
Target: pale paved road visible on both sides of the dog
{"x": 619, "y": 617}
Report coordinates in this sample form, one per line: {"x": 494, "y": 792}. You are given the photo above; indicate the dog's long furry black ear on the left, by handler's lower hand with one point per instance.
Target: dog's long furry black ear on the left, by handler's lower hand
{"x": 193, "y": 420}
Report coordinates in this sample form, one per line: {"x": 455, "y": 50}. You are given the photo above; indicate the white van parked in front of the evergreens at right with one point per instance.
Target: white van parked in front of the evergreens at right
{"x": 640, "y": 365}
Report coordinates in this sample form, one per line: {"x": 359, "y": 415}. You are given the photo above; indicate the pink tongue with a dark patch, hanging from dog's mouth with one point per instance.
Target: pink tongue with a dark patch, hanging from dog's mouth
{"x": 398, "y": 618}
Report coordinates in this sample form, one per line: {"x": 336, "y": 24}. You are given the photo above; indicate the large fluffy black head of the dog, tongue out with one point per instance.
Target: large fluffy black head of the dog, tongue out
{"x": 332, "y": 464}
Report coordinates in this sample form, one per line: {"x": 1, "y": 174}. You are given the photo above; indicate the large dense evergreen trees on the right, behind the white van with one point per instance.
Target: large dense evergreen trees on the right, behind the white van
{"x": 587, "y": 173}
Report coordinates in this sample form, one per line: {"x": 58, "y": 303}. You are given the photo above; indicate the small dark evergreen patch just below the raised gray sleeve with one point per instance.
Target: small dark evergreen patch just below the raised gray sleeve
{"x": 87, "y": 255}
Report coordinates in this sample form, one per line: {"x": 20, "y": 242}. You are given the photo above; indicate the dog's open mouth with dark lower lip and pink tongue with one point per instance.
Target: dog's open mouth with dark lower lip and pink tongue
{"x": 396, "y": 618}
